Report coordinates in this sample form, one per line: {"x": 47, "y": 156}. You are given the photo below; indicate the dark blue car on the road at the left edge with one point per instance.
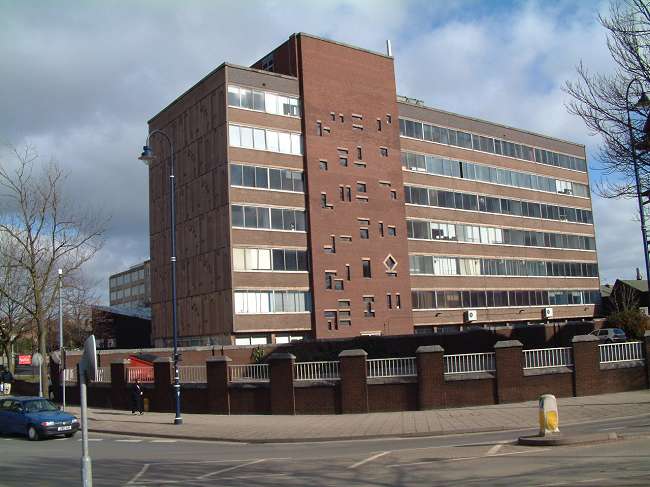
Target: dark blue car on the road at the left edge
{"x": 35, "y": 417}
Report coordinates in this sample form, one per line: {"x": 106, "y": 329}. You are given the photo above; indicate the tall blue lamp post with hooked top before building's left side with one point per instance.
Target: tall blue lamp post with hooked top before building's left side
{"x": 148, "y": 156}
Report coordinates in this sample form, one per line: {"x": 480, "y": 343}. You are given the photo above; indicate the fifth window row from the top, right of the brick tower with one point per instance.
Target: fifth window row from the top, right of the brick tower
{"x": 465, "y": 266}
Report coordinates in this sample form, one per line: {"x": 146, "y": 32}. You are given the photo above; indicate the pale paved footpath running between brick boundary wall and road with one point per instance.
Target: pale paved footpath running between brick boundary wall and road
{"x": 279, "y": 428}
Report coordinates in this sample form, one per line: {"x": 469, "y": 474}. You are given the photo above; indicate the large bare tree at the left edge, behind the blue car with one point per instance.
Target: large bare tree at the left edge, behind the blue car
{"x": 49, "y": 230}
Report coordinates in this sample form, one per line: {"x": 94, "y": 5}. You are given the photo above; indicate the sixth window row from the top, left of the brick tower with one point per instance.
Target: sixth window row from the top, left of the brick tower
{"x": 256, "y": 302}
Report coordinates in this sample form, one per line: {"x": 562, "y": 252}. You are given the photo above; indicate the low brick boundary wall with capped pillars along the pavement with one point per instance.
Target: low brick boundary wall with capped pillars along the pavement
{"x": 356, "y": 393}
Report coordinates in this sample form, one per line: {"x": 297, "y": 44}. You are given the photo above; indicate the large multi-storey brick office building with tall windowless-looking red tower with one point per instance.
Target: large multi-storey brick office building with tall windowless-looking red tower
{"x": 315, "y": 202}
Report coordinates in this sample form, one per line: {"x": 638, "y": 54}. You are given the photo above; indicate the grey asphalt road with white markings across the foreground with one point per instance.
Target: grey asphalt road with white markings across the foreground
{"x": 477, "y": 459}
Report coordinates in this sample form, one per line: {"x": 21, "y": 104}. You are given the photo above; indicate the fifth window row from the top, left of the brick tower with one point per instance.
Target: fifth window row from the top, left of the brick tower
{"x": 269, "y": 260}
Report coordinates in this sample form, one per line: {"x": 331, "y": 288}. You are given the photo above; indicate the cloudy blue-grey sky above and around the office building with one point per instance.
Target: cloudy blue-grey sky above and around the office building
{"x": 80, "y": 79}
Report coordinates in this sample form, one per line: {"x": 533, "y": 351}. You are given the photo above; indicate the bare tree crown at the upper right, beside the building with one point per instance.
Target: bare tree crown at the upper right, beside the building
{"x": 600, "y": 99}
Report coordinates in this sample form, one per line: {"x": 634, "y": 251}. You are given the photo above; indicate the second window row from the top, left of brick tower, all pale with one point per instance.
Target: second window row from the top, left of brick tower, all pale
{"x": 265, "y": 139}
